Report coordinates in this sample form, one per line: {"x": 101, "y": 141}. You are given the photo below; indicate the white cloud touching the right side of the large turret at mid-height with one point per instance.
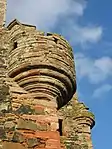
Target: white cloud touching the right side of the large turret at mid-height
{"x": 95, "y": 70}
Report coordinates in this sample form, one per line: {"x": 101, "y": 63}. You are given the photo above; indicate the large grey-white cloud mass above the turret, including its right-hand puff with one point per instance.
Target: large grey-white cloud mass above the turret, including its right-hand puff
{"x": 45, "y": 14}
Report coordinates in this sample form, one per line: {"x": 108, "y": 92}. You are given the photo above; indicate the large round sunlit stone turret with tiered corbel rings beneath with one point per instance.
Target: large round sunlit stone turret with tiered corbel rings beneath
{"x": 42, "y": 64}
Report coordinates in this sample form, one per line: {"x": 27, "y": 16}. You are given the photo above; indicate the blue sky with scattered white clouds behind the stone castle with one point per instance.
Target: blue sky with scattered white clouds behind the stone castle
{"x": 87, "y": 25}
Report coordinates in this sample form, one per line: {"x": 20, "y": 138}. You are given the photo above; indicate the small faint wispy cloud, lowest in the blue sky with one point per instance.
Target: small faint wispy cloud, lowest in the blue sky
{"x": 101, "y": 91}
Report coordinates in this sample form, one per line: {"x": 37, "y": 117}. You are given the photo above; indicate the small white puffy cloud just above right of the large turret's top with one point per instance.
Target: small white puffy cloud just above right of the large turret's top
{"x": 83, "y": 35}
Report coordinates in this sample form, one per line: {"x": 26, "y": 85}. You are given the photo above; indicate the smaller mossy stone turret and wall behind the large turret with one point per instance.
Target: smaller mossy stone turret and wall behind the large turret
{"x": 77, "y": 125}
